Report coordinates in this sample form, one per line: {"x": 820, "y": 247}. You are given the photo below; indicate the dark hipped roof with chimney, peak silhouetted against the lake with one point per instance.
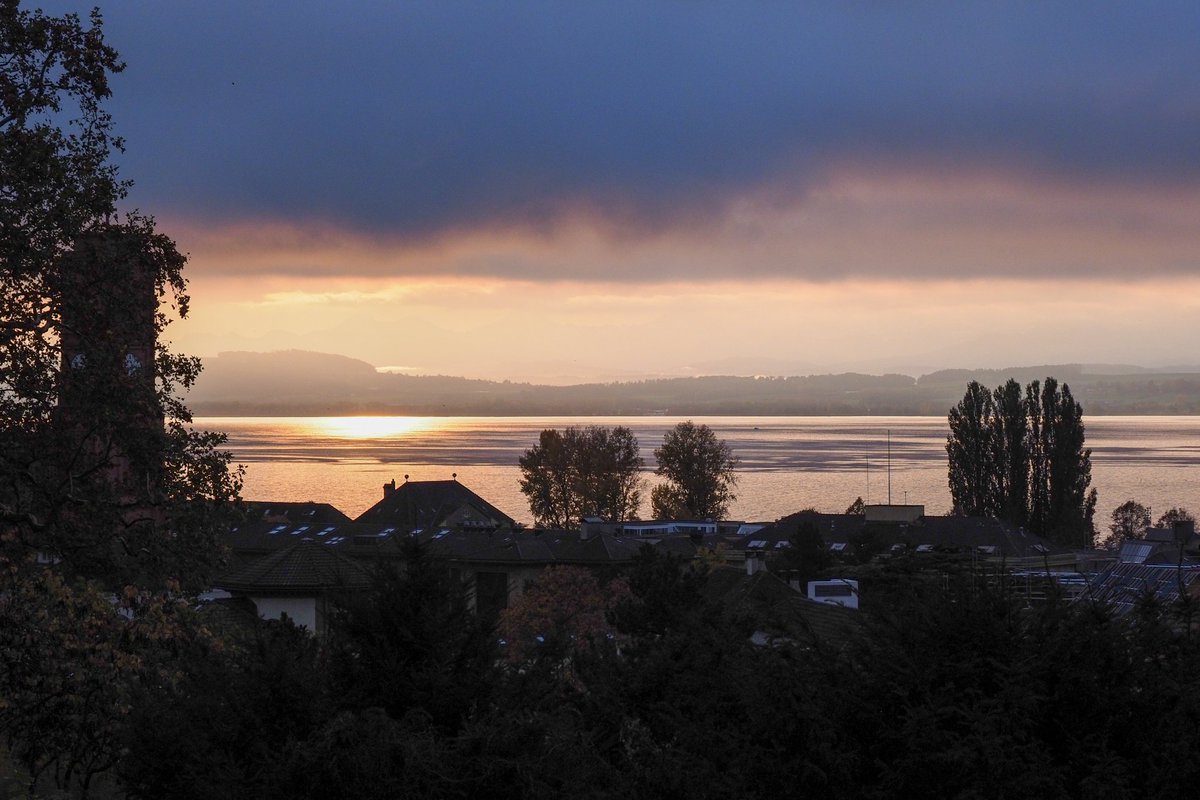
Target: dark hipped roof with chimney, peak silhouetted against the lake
{"x": 430, "y": 504}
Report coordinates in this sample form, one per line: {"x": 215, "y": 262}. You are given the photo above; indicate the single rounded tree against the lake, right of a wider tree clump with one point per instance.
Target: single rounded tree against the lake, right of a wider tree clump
{"x": 699, "y": 472}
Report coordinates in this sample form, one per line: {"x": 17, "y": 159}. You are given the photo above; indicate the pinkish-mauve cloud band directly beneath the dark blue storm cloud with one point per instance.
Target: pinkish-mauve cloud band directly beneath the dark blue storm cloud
{"x": 866, "y": 222}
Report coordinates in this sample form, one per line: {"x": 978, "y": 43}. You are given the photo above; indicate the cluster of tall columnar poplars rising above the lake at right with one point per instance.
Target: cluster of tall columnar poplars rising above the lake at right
{"x": 1023, "y": 460}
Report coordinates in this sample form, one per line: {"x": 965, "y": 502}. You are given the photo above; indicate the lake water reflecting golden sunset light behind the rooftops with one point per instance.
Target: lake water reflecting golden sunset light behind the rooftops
{"x": 787, "y": 464}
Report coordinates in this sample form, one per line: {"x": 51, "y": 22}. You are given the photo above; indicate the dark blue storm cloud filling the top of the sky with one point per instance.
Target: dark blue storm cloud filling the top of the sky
{"x": 421, "y": 118}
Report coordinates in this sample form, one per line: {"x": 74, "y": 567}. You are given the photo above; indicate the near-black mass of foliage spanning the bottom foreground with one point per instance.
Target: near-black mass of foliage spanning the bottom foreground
{"x": 946, "y": 684}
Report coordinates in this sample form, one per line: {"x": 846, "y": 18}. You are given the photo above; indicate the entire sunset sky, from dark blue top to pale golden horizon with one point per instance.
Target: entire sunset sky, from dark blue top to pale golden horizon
{"x": 597, "y": 191}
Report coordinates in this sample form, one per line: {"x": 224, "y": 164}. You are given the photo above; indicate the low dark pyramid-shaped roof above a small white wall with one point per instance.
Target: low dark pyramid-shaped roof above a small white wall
{"x": 304, "y": 568}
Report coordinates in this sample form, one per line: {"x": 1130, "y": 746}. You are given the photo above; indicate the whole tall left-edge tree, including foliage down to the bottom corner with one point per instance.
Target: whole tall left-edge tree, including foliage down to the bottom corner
{"x": 100, "y": 471}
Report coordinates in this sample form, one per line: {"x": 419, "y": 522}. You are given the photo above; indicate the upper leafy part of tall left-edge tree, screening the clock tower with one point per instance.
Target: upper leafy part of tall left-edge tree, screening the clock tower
{"x": 89, "y": 473}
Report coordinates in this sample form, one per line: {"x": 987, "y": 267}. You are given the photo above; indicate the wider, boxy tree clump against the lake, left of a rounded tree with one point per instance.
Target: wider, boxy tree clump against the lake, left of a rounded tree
{"x": 595, "y": 471}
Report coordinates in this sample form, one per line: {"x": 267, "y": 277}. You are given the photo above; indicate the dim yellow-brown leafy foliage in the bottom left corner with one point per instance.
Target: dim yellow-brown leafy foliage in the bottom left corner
{"x": 71, "y": 661}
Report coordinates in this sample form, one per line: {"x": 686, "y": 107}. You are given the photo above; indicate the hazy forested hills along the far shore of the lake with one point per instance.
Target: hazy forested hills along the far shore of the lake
{"x": 299, "y": 383}
